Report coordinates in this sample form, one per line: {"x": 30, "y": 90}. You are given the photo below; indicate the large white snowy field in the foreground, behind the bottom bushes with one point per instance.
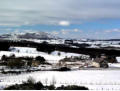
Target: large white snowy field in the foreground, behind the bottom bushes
{"x": 93, "y": 79}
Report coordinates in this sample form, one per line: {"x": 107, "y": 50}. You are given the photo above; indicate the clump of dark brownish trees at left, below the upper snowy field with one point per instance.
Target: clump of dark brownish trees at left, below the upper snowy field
{"x": 19, "y": 62}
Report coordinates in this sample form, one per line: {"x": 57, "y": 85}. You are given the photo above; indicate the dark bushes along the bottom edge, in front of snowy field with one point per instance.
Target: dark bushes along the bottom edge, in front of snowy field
{"x": 30, "y": 84}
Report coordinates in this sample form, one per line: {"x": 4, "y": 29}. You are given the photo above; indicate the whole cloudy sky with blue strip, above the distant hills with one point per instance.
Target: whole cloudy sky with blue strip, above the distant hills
{"x": 64, "y": 18}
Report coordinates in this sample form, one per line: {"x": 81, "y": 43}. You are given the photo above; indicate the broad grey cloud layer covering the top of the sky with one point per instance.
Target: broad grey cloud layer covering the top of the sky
{"x": 53, "y": 11}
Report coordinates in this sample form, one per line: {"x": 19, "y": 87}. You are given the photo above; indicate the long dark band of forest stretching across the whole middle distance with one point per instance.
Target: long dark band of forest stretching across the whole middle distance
{"x": 45, "y": 47}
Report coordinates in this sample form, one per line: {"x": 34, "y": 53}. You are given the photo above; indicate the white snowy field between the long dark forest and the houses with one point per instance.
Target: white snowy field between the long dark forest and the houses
{"x": 32, "y": 52}
